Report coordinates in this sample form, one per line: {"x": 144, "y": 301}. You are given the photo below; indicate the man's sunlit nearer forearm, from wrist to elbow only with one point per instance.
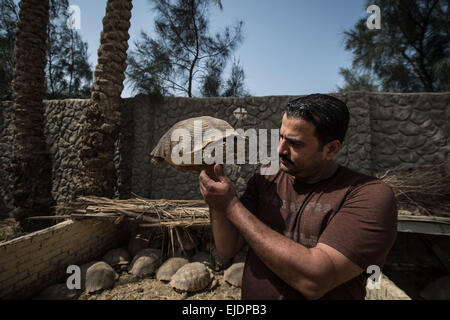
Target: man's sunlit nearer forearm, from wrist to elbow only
{"x": 300, "y": 267}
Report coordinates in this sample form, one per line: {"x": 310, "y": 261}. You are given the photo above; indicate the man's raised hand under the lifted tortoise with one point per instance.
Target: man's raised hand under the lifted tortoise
{"x": 220, "y": 195}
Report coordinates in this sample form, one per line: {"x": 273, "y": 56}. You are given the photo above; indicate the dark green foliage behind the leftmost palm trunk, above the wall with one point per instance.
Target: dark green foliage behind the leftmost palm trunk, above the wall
{"x": 68, "y": 73}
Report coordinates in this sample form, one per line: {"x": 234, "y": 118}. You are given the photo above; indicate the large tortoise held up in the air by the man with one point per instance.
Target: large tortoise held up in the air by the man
{"x": 163, "y": 150}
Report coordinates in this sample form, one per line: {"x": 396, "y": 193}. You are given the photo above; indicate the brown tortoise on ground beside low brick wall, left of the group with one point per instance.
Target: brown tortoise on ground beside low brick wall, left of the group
{"x": 97, "y": 276}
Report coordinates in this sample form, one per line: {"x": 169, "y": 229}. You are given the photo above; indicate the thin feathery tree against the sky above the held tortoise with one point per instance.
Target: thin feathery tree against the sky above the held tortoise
{"x": 182, "y": 54}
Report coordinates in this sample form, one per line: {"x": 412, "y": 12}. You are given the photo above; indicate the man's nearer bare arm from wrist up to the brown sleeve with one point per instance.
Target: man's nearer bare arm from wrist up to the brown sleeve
{"x": 311, "y": 271}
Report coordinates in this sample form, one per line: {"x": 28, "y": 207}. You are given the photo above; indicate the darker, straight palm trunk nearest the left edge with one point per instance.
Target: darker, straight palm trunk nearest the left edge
{"x": 31, "y": 166}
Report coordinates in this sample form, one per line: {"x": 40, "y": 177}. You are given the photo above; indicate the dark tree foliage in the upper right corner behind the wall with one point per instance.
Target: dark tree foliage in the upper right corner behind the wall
{"x": 410, "y": 53}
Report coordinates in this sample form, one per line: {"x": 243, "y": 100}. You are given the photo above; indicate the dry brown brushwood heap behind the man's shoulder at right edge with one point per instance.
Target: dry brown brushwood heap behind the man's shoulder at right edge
{"x": 421, "y": 189}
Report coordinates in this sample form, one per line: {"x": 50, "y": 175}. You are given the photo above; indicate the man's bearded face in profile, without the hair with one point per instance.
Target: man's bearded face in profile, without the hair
{"x": 299, "y": 149}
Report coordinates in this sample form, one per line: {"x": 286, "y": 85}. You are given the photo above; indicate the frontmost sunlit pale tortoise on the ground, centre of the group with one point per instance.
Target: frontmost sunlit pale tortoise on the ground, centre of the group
{"x": 192, "y": 277}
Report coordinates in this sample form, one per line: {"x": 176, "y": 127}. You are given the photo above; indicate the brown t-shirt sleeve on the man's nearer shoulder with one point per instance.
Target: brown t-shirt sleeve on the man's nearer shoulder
{"x": 365, "y": 228}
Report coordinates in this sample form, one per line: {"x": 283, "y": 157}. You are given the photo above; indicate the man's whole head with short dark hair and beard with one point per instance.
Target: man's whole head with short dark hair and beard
{"x": 312, "y": 132}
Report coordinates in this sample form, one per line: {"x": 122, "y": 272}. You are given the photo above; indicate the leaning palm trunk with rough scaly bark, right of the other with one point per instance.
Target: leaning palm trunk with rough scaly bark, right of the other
{"x": 98, "y": 173}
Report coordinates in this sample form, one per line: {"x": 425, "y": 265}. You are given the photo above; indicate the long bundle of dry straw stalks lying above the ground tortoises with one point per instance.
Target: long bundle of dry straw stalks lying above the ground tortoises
{"x": 167, "y": 213}
